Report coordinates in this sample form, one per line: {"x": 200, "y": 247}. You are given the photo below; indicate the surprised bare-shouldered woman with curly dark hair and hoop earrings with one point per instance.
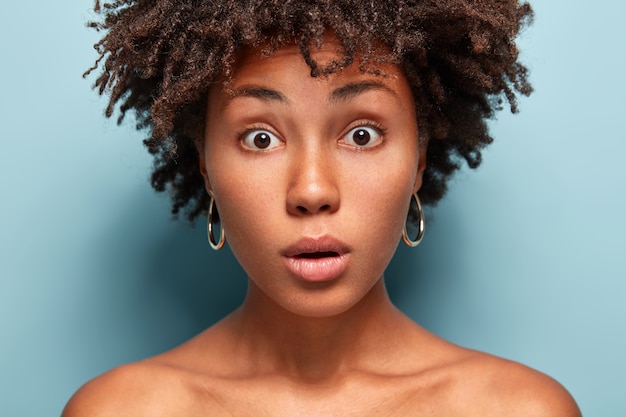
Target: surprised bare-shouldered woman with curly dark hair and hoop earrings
{"x": 313, "y": 128}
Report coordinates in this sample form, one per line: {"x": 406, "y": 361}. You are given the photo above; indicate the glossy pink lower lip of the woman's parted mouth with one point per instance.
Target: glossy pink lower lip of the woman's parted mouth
{"x": 317, "y": 269}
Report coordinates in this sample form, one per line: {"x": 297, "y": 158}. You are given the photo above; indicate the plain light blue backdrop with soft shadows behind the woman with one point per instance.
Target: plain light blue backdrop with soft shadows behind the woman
{"x": 524, "y": 259}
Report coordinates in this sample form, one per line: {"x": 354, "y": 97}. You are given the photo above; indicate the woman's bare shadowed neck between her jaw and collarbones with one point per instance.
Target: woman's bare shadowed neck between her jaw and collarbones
{"x": 275, "y": 340}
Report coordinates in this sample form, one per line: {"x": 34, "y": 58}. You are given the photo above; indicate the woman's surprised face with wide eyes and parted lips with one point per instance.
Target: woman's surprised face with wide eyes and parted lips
{"x": 312, "y": 177}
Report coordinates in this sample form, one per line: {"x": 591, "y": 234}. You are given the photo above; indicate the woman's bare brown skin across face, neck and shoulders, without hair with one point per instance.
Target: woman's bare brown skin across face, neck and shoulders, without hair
{"x": 319, "y": 343}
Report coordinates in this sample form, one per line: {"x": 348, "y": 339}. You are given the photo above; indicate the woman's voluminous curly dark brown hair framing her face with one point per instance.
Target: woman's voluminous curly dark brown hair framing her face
{"x": 159, "y": 58}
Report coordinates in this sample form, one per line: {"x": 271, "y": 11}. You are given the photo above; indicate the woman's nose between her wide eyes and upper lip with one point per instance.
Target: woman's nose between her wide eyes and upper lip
{"x": 313, "y": 187}
